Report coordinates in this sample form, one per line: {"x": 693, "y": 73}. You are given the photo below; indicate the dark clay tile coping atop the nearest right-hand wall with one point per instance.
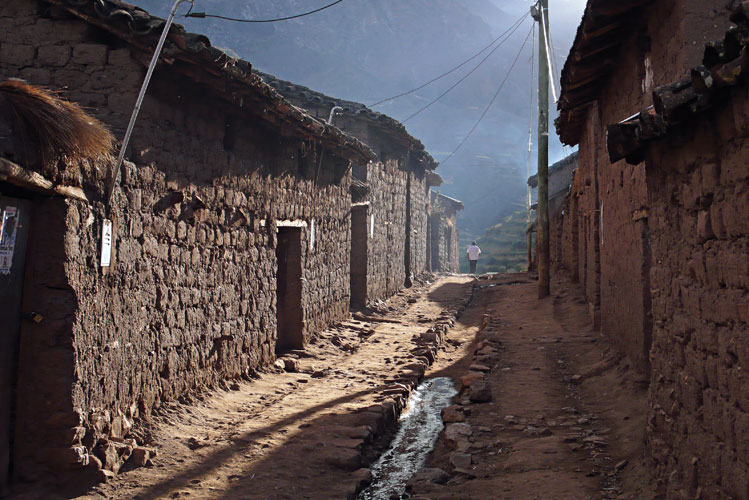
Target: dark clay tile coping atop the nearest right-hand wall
{"x": 725, "y": 65}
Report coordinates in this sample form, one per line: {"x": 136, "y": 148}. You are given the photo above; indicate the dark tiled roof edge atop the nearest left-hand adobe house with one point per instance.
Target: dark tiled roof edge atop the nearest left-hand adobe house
{"x": 226, "y": 77}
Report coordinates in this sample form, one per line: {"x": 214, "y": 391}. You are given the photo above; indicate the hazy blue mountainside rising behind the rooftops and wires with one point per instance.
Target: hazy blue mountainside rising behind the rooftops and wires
{"x": 368, "y": 50}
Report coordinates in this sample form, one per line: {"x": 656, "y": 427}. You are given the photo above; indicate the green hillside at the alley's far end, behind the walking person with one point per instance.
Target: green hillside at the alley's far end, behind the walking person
{"x": 503, "y": 247}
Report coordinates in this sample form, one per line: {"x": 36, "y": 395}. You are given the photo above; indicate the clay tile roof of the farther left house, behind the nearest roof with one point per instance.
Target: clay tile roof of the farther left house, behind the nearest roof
{"x": 388, "y": 124}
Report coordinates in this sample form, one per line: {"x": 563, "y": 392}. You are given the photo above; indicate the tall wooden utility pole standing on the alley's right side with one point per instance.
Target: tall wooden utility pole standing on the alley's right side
{"x": 540, "y": 13}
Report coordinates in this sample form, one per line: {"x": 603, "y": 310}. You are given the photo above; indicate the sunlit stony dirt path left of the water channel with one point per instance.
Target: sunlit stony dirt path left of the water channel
{"x": 302, "y": 434}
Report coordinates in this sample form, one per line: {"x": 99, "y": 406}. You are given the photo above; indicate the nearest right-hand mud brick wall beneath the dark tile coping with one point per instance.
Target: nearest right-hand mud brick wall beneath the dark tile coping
{"x": 698, "y": 188}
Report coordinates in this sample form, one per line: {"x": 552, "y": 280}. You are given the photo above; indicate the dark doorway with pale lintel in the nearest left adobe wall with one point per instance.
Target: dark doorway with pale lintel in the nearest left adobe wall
{"x": 289, "y": 289}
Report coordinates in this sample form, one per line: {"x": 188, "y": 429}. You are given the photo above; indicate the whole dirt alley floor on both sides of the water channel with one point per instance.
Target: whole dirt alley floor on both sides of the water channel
{"x": 545, "y": 410}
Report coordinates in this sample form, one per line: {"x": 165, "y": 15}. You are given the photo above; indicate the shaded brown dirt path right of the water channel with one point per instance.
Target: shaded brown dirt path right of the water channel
{"x": 546, "y": 410}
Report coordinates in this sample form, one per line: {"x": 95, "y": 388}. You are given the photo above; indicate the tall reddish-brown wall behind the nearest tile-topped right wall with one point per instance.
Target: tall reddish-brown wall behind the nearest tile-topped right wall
{"x": 613, "y": 232}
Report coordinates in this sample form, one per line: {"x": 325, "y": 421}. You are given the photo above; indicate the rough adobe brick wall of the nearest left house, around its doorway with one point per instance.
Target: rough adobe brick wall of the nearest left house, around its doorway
{"x": 191, "y": 298}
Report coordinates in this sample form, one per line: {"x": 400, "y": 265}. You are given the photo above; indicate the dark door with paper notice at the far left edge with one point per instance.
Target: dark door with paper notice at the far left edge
{"x": 14, "y": 230}
